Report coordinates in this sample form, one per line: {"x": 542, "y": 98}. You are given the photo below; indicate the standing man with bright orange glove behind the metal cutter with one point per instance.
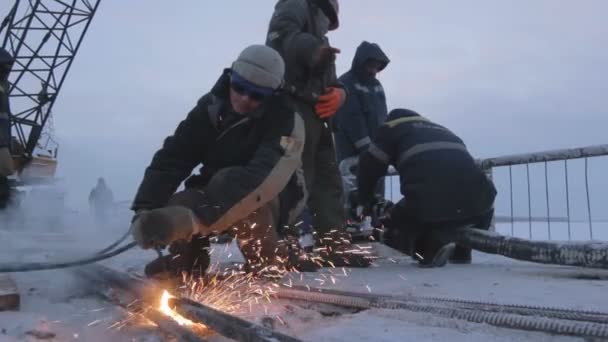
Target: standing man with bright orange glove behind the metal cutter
{"x": 297, "y": 30}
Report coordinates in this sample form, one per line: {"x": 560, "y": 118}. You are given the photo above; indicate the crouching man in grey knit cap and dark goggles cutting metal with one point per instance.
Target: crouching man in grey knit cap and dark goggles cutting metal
{"x": 249, "y": 143}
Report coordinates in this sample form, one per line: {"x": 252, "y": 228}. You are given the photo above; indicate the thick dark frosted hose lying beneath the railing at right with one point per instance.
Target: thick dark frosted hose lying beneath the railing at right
{"x": 590, "y": 254}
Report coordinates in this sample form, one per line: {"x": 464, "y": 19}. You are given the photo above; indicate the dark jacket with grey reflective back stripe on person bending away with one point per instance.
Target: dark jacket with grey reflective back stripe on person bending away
{"x": 440, "y": 180}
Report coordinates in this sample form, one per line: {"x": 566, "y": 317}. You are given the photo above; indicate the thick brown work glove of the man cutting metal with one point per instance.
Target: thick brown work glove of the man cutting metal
{"x": 161, "y": 227}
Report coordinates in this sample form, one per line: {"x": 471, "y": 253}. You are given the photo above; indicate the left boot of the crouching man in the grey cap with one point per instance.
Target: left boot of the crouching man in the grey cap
{"x": 185, "y": 258}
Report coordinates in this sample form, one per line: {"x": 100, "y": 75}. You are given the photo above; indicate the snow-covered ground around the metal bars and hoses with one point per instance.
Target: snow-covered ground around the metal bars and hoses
{"x": 56, "y": 302}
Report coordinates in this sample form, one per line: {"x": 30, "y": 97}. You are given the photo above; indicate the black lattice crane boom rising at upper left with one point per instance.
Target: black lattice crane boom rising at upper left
{"x": 43, "y": 36}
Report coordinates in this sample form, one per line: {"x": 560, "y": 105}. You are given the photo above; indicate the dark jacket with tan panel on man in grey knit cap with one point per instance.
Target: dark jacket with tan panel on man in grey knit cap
{"x": 247, "y": 161}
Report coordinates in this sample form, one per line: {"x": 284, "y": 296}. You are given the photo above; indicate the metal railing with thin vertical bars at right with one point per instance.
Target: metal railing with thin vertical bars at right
{"x": 543, "y": 188}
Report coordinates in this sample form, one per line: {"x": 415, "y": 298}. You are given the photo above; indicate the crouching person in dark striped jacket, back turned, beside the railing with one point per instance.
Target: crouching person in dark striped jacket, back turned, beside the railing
{"x": 443, "y": 188}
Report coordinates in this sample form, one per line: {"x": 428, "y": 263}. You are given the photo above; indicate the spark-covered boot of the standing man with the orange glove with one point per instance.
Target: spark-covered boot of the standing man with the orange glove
{"x": 336, "y": 250}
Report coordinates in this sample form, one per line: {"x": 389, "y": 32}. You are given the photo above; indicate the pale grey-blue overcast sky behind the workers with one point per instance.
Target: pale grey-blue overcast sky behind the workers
{"x": 507, "y": 76}
